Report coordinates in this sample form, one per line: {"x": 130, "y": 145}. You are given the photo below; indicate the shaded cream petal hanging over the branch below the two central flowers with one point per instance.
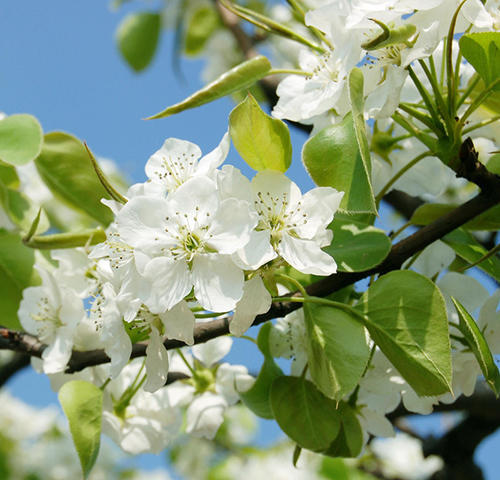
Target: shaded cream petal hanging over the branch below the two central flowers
{"x": 256, "y": 300}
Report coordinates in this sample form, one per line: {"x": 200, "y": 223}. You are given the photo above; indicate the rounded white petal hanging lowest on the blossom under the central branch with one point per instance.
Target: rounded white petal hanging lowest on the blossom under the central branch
{"x": 205, "y": 415}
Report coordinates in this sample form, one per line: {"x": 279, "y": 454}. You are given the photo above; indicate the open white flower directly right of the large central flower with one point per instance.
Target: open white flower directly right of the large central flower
{"x": 291, "y": 224}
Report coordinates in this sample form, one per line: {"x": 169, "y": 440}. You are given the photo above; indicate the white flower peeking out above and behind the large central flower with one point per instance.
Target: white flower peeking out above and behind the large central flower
{"x": 177, "y": 161}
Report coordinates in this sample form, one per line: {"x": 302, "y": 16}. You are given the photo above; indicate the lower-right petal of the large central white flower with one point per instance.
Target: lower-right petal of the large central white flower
{"x": 218, "y": 282}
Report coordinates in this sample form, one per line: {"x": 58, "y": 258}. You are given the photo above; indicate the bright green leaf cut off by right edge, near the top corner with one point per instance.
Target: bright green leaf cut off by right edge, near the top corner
{"x": 482, "y": 51}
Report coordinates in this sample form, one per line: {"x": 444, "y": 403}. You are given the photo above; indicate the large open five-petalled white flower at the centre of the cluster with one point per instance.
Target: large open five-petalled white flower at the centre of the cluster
{"x": 189, "y": 238}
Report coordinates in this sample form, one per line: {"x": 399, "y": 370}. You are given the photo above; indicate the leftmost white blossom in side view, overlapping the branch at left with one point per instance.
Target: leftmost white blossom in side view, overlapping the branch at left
{"x": 52, "y": 312}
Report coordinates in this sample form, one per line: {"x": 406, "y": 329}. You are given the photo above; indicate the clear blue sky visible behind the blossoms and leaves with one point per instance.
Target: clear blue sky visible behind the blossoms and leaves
{"x": 58, "y": 61}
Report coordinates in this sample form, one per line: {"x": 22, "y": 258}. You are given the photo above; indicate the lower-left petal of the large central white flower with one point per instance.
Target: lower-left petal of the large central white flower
{"x": 170, "y": 282}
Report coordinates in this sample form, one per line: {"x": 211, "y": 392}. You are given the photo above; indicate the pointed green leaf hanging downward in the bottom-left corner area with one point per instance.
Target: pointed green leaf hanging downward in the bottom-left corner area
{"x": 82, "y": 405}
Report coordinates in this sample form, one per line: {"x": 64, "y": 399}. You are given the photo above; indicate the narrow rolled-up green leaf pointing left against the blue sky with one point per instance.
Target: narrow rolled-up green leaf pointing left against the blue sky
{"x": 240, "y": 76}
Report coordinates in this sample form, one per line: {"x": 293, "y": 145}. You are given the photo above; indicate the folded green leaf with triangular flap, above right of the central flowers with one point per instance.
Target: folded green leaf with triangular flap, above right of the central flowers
{"x": 332, "y": 159}
